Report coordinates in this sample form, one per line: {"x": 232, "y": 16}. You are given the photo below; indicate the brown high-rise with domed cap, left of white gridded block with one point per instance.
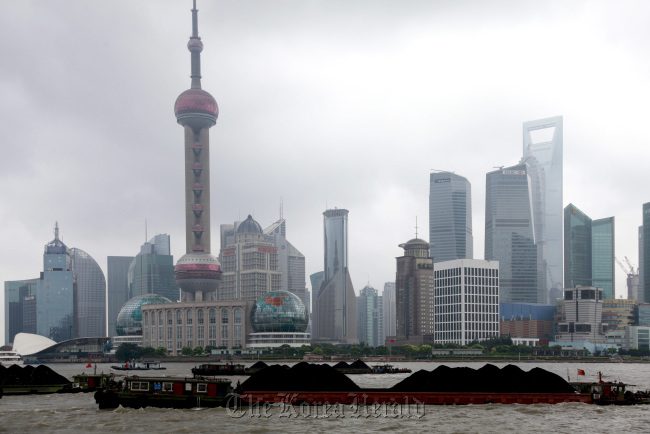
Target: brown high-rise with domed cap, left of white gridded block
{"x": 414, "y": 290}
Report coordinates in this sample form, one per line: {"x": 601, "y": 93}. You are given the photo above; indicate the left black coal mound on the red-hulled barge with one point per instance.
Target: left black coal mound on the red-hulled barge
{"x": 303, "y": 376}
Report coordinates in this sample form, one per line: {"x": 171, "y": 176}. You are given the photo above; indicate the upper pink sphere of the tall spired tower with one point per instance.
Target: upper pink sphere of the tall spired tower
{"x": 196, "y": 108}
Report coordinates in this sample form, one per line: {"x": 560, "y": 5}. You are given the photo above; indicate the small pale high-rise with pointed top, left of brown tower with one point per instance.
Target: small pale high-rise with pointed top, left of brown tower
{"x": 370, "y": 318}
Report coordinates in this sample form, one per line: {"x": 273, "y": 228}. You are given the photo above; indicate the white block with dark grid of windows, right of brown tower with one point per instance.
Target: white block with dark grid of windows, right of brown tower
{"x": 466, "y": 301}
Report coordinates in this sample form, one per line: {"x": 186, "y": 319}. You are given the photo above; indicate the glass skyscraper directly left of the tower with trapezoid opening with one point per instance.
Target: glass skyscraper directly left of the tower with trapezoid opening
{"x": 510, "y": 234}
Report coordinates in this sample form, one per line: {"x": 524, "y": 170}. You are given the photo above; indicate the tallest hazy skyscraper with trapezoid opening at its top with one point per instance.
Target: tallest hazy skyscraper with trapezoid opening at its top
{"x": 543, "y": 150}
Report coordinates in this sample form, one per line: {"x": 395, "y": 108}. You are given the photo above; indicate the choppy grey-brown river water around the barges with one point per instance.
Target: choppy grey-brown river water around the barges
{"x": 79, "y": 413}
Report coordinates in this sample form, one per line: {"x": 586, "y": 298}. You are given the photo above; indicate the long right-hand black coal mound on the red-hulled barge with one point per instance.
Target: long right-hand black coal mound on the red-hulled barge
{"x": 489, "y": 378}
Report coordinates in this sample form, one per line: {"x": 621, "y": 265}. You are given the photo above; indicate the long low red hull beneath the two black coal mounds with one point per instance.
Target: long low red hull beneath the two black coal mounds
{"x": 429, "y": 398}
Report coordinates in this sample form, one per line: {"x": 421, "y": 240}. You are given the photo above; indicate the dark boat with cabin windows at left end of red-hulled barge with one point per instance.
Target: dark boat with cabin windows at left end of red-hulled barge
{"x": 164, "y": 392}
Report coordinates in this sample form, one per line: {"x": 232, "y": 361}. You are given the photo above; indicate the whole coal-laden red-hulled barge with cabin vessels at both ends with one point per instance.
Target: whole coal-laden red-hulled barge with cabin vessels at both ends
{"x": 313, "y": 384}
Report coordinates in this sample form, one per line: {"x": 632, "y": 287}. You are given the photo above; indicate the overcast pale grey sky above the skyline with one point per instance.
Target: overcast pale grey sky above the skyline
{"x": 323, "y": 104}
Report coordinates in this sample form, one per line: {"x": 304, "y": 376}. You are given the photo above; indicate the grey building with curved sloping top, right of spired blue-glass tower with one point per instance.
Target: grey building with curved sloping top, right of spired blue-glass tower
{"x": 89, "y": 295}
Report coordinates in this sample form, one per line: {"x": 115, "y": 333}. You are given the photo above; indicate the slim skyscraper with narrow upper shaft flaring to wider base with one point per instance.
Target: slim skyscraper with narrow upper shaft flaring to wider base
{"x": 334, "y": 304}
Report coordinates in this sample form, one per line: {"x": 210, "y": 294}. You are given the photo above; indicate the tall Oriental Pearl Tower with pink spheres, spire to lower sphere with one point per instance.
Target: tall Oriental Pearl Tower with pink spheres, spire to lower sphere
{"x": 197, "y": 272}
